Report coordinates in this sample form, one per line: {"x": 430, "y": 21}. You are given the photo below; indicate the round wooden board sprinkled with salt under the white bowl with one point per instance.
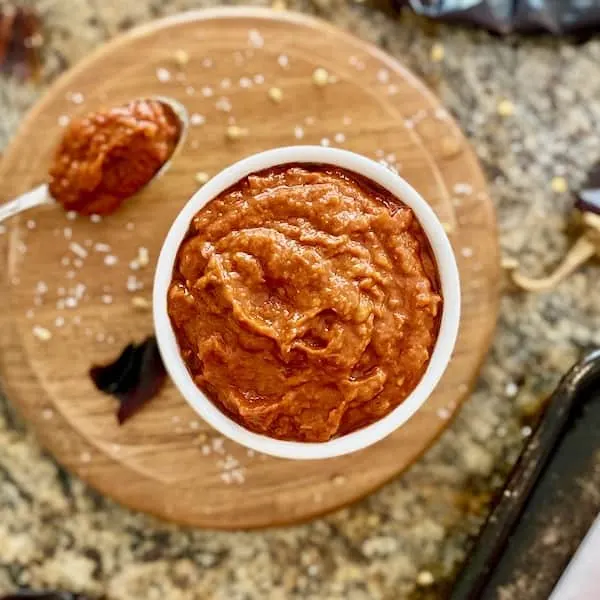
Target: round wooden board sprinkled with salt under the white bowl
{"x": 164, "y": 460}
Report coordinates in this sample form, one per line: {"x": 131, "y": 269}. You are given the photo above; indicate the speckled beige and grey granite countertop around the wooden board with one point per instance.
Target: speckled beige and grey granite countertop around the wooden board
{"x": 407, "y": 540}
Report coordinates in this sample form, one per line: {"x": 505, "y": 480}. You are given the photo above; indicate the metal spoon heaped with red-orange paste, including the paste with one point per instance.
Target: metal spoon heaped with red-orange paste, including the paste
{"x": 106, "y": 157}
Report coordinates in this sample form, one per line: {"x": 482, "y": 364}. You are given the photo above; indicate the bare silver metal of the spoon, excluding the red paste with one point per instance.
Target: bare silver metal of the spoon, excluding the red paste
{"x": 41, "y": 195}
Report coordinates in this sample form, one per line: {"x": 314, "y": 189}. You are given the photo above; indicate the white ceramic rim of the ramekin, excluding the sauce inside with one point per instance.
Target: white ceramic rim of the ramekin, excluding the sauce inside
{"x": 442, "y": 352}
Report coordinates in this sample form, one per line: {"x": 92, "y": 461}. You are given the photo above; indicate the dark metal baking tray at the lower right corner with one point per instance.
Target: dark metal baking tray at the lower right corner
{"x": 549, "y": 502}
